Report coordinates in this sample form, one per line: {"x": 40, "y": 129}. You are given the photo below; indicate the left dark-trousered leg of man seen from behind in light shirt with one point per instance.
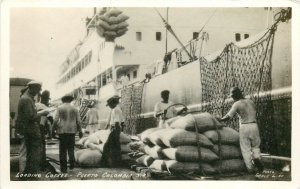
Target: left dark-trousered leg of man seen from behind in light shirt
{"x": 63, "y": 153}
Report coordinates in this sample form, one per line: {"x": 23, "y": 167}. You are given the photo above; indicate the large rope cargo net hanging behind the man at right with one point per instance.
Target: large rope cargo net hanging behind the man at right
{"x": 248, "y": 68}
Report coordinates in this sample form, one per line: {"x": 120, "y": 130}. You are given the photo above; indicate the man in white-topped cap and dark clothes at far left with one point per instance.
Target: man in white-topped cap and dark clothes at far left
{"x": 27, "y": 125}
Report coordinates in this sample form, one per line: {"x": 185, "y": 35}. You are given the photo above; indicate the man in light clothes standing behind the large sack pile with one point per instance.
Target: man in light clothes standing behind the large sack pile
{"x": 164, "y": 109}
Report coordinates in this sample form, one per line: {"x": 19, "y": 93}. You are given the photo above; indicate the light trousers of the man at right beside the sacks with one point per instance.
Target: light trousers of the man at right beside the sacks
{"x": 249, "y": 143}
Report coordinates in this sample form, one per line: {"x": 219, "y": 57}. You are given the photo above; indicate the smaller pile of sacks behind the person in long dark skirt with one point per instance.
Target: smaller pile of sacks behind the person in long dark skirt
{"x": 93, "y": 145}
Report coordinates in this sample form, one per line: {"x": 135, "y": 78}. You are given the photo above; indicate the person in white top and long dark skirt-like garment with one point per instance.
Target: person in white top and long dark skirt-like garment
{"x": 112, "y": 149}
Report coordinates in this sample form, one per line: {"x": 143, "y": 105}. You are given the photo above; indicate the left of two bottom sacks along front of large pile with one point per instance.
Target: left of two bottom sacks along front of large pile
{"x": 176, "y": 167}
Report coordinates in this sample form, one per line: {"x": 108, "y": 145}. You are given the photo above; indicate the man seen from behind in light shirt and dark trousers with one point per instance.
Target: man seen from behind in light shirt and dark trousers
{"x": 67, "y": 122}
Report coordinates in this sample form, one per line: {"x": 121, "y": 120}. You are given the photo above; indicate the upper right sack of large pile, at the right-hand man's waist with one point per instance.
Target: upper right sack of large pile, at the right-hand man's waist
{"x": 227, "y": 136}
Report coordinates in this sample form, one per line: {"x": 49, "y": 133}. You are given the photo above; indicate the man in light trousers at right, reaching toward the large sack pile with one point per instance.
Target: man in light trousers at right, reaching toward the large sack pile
{"x": 249, "y": 133}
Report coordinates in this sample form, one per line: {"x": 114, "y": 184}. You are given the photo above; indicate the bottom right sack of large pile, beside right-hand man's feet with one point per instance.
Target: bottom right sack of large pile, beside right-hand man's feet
{"x": 230, "y": 166}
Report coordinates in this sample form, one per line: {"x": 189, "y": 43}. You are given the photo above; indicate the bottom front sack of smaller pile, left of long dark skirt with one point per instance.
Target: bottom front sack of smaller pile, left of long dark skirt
{"x": 88, "y": 158}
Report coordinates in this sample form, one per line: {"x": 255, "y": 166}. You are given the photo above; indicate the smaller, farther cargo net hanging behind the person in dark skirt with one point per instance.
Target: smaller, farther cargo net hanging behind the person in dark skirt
{"x": 132, "y": 97}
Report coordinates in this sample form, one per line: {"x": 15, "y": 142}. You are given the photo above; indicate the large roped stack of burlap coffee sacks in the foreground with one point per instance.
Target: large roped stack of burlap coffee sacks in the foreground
{"x": 176, "y": 149}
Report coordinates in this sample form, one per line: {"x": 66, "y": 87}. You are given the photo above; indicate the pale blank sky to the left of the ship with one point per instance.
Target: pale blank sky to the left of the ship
{"x": 41, "y": 39}
